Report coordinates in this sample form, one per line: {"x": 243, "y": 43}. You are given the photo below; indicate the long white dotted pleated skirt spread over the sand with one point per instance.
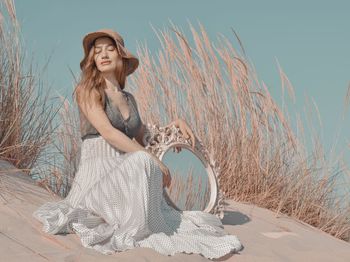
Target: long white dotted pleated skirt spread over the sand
{"x": 116, "y": 203}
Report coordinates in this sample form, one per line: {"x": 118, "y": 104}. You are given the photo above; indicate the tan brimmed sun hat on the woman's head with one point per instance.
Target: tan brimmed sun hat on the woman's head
{"x": 132, "y": 61}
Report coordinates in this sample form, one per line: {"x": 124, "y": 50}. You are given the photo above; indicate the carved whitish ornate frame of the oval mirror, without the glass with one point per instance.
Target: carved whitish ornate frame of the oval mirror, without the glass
{"x": 159, "y": 139}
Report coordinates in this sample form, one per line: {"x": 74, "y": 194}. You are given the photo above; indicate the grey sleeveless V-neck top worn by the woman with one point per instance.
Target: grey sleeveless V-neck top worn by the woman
{"x": 129, "y": 126}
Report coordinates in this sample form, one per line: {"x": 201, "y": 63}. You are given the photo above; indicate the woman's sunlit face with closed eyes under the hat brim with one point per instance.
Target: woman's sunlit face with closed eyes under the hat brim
{"x": 106, "y": 55}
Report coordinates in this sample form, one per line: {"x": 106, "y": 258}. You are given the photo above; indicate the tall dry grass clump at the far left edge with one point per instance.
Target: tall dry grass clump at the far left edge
{"x": 26, "y": 115}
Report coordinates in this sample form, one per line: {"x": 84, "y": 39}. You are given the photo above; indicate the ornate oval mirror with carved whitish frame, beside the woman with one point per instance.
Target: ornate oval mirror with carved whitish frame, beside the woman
{"x": 195, "y": 178}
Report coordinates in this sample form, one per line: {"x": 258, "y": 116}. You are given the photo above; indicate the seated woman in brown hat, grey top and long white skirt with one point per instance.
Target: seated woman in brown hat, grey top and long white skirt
{"x": 116, "y": 200}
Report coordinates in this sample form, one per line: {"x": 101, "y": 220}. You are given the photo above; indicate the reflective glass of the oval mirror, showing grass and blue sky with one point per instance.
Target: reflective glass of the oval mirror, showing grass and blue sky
{"x": 190, "y": 187}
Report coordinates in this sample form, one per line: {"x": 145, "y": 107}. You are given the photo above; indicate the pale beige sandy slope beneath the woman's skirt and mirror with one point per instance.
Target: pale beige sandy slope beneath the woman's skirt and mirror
{"x": 265, "y": 237}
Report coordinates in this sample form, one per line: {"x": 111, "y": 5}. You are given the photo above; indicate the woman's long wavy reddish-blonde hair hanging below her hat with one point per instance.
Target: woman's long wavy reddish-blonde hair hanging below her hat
{"x": 92, "y": 80}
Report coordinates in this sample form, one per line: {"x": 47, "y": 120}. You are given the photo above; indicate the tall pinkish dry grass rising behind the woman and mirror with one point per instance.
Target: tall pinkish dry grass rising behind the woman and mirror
{"x": 217, "y": 92}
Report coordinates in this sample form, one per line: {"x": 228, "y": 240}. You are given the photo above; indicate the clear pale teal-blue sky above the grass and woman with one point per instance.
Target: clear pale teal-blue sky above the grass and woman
{"x": 309, "y": 39}
